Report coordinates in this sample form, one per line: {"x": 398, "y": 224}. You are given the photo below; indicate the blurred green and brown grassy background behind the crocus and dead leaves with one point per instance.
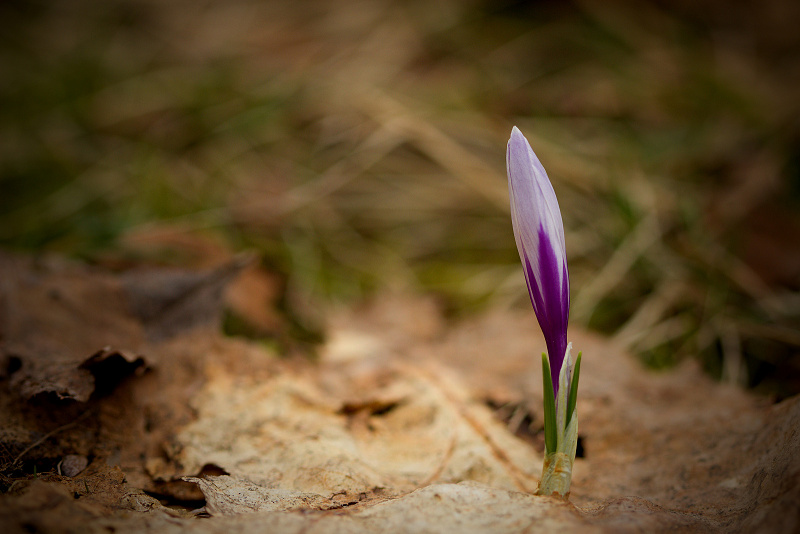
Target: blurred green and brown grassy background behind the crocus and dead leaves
{"x": 358, "y": 147}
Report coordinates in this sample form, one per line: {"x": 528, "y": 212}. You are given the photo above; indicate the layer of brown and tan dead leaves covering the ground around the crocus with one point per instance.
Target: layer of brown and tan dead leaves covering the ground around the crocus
{"x": 125, "y": 408}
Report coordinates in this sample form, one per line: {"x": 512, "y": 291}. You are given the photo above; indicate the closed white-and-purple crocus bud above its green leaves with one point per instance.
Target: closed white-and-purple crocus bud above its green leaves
{"x": 539, "y": 233}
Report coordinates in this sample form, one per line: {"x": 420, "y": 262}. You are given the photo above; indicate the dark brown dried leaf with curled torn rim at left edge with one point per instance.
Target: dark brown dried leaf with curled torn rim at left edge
{"x": 58, "y": 321}
